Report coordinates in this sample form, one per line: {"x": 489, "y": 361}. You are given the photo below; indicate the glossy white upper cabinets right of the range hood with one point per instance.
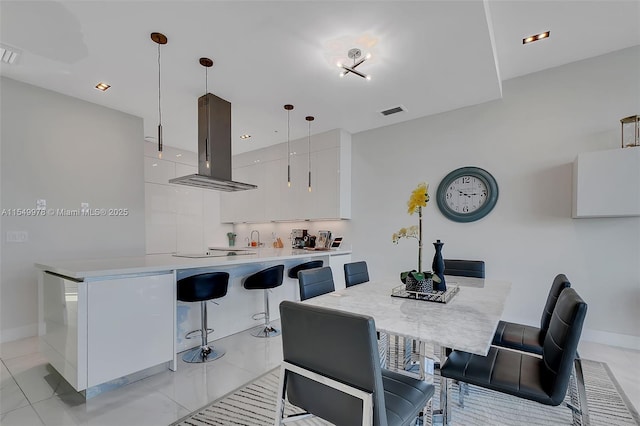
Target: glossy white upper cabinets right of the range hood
{"x": 274, "y": 200}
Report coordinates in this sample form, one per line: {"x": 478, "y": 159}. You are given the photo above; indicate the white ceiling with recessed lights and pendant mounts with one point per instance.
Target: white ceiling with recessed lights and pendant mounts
{"x": 428, "y": 56}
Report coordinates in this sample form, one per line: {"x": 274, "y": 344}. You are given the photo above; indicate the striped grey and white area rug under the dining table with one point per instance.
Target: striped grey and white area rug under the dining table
{"x": 254, "y": 405}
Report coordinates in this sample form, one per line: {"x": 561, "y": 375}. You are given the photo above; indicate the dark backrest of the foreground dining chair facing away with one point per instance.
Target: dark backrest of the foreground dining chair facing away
{"x": 336, "y": 344}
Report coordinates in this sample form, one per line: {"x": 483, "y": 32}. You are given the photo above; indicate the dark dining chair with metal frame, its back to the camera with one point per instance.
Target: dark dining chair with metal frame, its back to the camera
{"x": 331, "y": 370}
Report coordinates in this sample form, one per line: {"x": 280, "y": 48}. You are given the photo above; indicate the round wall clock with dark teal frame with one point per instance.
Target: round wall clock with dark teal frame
{"x": 467, "y": 194}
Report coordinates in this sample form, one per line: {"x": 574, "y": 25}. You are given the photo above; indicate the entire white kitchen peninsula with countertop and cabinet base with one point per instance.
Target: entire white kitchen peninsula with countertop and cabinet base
{"x": 105, "y": 320}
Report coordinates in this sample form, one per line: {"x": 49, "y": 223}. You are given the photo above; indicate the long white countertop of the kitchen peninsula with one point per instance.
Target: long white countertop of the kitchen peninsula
{"x": 91, "y": 268}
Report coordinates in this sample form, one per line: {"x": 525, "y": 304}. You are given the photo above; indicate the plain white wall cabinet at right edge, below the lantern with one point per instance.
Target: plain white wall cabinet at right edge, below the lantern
{"x": 607, "y": 183}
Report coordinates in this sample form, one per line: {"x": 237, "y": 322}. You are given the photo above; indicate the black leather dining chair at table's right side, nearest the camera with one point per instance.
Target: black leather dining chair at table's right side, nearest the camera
{"x": 542, "y": 379}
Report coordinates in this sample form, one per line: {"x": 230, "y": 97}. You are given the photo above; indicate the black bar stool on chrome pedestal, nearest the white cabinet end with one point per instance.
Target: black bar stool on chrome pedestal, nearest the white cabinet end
{"x": 201, "y": 288}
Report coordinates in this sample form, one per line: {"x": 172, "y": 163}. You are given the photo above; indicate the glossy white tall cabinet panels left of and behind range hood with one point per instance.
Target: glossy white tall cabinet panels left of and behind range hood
{"x": 179, "y": 218}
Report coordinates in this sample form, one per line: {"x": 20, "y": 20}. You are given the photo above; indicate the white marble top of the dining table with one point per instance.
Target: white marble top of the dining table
{"x": 467, "y": 322}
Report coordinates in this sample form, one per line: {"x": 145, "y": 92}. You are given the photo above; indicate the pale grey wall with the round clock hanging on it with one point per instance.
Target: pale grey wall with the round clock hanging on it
{"x": 528, "y": 141}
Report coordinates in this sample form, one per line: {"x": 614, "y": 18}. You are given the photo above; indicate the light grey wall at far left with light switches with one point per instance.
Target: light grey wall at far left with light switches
{"x": 66, "y": 151}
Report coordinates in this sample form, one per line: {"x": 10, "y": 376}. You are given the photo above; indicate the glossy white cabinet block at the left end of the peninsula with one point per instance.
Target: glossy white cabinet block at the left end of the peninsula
{"x": 99, "y": 330}
